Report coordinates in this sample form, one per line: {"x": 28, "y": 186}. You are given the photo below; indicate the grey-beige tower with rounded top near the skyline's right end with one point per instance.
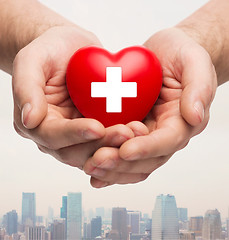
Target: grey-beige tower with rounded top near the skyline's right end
{"x": 212, "y": 225}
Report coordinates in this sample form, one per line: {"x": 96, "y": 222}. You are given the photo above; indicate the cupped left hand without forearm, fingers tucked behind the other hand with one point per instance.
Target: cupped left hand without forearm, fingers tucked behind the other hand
{"x": 43, "y": 110}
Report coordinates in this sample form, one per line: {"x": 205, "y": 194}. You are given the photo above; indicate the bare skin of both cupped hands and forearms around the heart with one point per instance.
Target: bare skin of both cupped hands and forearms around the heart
{"x": 189, "y": 55}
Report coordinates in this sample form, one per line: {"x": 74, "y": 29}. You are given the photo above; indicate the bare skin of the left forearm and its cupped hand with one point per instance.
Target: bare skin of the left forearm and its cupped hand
{"x": 37, "y": 55}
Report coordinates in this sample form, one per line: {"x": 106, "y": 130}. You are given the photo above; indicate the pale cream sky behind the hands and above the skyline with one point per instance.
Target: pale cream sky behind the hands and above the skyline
{"x": 197, "y": 175}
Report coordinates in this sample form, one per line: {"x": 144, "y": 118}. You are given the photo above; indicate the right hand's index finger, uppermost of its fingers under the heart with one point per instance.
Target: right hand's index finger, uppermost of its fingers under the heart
{"x": 171, "y": 137}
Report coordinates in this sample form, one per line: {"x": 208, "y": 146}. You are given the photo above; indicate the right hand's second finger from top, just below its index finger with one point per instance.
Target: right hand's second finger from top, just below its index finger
{"x": 108, "y": 159}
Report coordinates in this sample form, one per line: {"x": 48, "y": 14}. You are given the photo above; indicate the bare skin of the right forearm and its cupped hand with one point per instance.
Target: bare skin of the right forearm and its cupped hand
{"x": 194, "y": 56}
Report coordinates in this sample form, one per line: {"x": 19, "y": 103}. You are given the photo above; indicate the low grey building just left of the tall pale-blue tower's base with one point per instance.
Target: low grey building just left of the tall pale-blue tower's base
{"x": 57, "y": 230}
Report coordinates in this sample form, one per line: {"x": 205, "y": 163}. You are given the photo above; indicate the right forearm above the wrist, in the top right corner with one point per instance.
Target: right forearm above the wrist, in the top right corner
{"x": 209, "y": 26}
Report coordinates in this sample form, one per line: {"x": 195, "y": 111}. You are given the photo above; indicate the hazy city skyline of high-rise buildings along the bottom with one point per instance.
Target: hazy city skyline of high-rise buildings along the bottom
{"x": 167, "y": 221}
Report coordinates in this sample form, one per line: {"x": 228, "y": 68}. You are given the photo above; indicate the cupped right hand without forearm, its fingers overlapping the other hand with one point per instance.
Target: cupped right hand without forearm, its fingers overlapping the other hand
{"x": 181, "y": 112}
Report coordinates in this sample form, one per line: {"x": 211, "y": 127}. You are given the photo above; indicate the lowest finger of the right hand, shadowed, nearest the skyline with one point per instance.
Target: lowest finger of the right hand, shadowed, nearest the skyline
{"x": 118, "y": 178}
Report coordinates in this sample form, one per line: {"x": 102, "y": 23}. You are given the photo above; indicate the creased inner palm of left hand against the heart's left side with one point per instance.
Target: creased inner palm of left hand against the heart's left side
{"x": 56, "y": 61}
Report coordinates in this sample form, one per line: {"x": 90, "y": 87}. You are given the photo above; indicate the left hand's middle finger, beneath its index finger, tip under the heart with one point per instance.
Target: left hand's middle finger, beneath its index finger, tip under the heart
{"x": 77, "y": 155}
